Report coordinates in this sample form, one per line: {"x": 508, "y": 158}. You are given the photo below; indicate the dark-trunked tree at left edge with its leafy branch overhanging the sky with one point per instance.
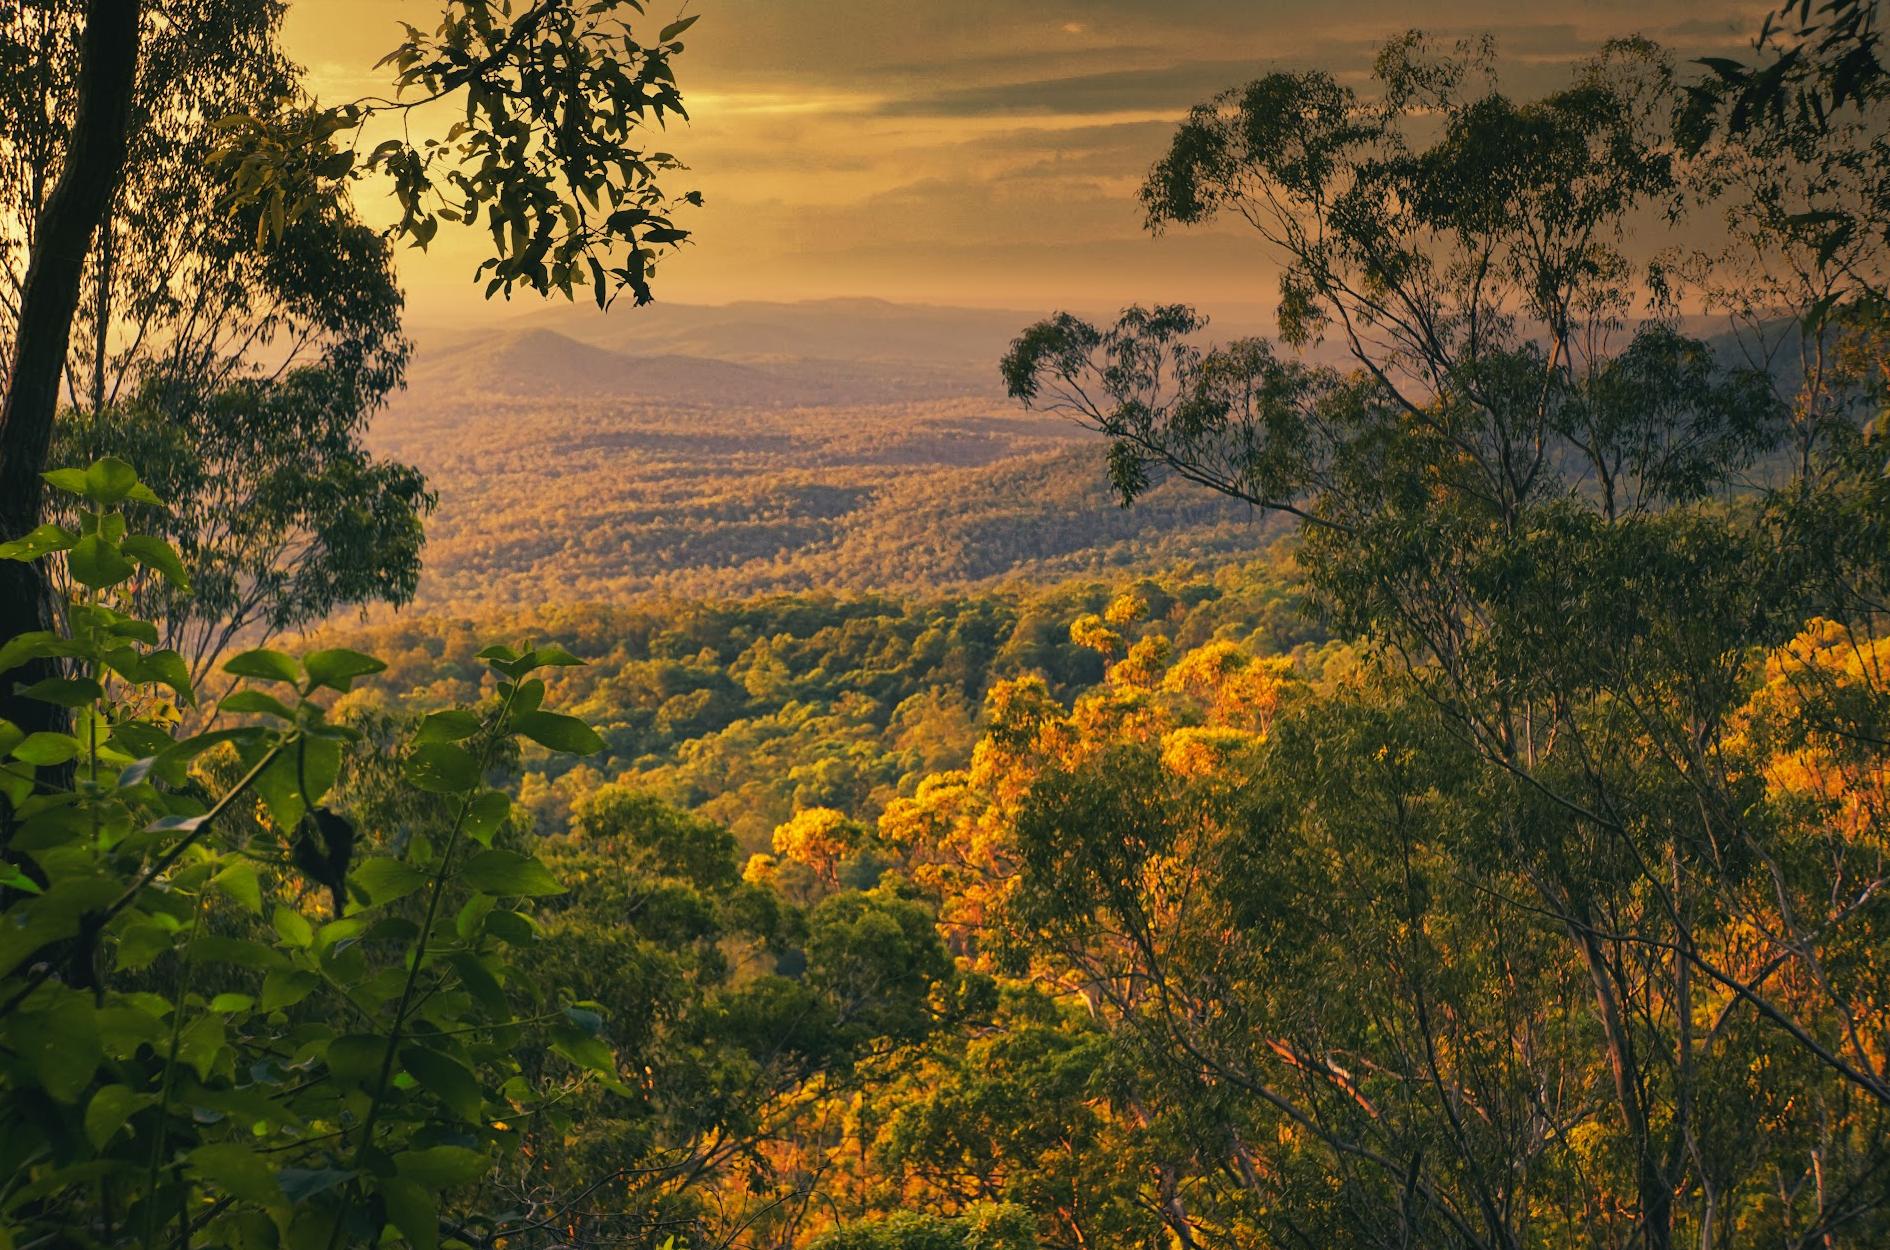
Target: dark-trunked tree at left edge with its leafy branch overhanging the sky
{"x": 545, "y": 158}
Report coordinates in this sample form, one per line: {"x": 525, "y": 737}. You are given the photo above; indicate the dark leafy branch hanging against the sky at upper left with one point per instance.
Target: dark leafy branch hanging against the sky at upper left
{"x": 555, "y": 99}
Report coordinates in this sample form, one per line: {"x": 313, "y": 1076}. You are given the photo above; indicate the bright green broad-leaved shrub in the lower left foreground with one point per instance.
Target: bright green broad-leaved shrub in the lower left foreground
{"x": 199, "y": 1056}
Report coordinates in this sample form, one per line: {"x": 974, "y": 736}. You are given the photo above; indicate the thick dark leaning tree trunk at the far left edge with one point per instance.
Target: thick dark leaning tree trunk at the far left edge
{"x": 50, "y": 298}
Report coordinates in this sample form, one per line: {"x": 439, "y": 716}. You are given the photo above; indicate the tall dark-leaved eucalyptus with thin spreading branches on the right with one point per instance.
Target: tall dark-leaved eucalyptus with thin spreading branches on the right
{"x": 1545, "y": 523}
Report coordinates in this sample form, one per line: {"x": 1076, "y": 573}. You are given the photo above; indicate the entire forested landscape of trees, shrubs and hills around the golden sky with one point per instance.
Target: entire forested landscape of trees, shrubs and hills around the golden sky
{"x": 1445, "y": 807}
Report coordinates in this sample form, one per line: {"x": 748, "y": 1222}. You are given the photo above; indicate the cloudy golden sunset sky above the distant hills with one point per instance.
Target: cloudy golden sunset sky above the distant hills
{"x": 976, "y": 152}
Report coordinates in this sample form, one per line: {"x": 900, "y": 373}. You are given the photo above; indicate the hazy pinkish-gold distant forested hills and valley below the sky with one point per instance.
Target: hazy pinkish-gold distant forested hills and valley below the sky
{"x": 710, "y": 462}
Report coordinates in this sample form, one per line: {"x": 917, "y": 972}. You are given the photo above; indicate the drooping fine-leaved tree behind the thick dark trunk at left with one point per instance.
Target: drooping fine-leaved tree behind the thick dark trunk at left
{"x": 237, "y": 373}
